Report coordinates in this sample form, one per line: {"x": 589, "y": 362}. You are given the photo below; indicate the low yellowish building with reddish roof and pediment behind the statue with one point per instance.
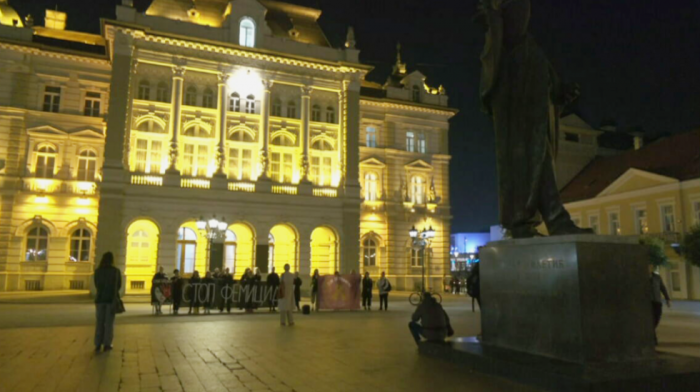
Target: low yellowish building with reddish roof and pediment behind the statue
{"x": 651, "y": 190}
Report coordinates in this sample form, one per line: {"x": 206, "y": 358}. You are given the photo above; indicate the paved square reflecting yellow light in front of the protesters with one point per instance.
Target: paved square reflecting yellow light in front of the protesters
{"x": 49, "y": 348}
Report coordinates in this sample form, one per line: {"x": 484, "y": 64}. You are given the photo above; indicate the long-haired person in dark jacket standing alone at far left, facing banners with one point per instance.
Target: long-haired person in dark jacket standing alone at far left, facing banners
{"x": 108, "y": 281}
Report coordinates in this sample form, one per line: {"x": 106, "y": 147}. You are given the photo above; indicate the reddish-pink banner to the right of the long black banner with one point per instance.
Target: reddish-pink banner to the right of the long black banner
{"x": 340, "y": 292}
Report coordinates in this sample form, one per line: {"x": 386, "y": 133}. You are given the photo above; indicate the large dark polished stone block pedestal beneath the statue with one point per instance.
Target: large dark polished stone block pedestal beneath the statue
{"x": 581, "y": 298}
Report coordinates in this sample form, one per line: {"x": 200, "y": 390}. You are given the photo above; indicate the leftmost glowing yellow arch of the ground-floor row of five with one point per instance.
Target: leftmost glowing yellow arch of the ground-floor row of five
{"x": 141, "y": 255}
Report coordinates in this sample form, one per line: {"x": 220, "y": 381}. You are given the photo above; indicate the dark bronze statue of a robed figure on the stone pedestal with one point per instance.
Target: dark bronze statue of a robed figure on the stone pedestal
{"x": 521, "y": 92}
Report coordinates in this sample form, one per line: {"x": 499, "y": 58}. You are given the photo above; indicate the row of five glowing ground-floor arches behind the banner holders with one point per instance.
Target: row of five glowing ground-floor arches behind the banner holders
{"x": 240, "y": 244}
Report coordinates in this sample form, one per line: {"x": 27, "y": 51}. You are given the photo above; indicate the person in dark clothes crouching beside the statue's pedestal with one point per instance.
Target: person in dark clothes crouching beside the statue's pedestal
{"x": 434, "y": 323}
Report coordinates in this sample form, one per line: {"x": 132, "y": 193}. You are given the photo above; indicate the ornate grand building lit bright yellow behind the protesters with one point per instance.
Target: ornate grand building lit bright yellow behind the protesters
{"x": 238, "y": 109}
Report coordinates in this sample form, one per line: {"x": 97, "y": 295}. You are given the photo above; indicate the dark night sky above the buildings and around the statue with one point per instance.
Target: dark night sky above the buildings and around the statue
{"x": 637, "y": 62}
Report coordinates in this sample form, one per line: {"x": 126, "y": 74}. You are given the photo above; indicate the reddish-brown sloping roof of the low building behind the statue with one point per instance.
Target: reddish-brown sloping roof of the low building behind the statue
{"x": 677, "y": 157}
